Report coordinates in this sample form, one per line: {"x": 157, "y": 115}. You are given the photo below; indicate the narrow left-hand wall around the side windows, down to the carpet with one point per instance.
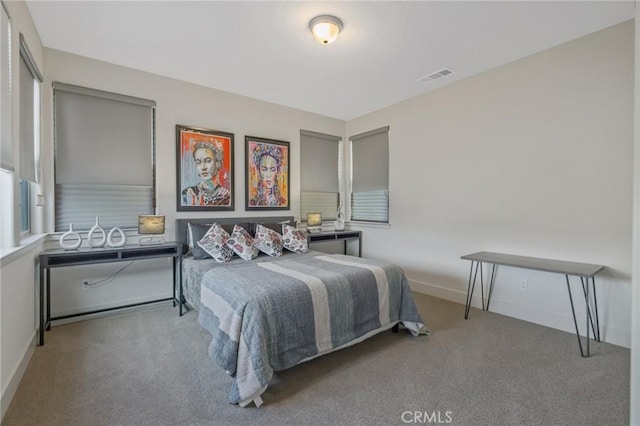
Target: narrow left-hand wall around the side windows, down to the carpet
{"x": 17, "y": 270}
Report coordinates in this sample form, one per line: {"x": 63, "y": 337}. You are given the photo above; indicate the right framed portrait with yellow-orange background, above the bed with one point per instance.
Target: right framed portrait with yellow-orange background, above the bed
{"x": 267, "y": 174}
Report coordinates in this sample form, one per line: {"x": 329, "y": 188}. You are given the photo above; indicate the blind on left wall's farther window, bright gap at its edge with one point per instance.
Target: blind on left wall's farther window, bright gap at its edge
{"x": 30, "y": 79}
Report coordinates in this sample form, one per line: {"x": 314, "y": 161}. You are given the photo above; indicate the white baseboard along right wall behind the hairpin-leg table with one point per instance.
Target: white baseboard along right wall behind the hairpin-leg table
{"x": 614, "y": 335}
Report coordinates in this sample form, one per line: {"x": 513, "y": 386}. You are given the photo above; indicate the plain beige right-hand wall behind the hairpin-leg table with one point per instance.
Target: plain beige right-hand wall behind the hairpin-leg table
{"x": 531, "y": 158}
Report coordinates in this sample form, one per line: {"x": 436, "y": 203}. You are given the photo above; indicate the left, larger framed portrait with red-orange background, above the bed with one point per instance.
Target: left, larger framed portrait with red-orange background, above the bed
{"x": 204, "y": 169}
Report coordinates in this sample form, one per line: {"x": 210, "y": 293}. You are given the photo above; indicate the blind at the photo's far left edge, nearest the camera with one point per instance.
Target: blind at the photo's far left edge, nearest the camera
{"x": 6, "y": 141}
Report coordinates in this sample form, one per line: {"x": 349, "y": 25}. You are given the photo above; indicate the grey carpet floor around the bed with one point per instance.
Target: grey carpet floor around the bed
{"x": 150, "y": 367}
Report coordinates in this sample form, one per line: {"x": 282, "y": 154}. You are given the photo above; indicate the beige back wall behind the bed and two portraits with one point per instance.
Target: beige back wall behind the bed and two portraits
{"x": 177, "y": 103}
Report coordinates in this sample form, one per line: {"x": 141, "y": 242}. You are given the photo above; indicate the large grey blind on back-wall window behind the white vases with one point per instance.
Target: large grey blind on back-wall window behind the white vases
{"x": 104, "y": 160}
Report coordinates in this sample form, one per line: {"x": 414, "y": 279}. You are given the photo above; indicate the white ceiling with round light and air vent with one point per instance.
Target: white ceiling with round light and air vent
{"x": 264, "y": 50}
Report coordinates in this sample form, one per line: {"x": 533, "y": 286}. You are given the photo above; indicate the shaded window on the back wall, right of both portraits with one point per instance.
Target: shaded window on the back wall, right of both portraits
{"x": 319, "y": 174}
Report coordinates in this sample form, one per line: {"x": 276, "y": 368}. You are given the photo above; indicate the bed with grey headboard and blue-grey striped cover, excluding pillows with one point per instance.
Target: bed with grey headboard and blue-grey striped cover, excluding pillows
{"x": 271, "y": 313}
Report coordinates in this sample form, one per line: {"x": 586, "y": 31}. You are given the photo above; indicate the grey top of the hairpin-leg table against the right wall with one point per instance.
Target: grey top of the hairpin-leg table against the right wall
{"x": 536, "y": 263}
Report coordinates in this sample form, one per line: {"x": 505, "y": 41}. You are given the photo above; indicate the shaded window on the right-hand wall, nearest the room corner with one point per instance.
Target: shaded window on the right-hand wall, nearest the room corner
{"x": 370, "y": 176}
